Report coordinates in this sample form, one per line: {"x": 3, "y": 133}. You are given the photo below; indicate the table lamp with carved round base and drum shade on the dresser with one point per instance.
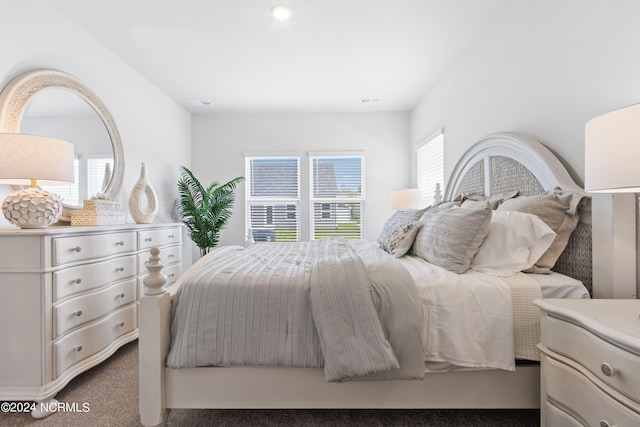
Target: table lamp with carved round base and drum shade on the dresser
{"x": 27, "y": 160}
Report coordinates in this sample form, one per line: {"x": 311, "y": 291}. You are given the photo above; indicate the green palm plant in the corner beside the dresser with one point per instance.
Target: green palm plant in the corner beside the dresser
{"x": 205, "y": 211}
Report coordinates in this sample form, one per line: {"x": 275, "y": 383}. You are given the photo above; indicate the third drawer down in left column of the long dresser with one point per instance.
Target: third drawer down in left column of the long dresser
{"x": 76, "y": 311}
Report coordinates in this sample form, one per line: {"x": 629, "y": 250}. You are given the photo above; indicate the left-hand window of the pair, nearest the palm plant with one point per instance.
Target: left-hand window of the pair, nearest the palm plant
{"x": 273, "y": 198}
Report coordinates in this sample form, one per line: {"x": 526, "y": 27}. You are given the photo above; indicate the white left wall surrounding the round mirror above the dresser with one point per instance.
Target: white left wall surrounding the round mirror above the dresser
{"x": 154, "y": 129}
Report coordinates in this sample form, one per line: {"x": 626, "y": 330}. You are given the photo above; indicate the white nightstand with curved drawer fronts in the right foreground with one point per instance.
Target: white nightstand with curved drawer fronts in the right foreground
{"x": 590, "y": 362}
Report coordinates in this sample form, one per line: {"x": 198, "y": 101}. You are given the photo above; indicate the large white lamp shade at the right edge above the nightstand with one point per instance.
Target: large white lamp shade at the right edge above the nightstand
{"x": 612, "y": 152}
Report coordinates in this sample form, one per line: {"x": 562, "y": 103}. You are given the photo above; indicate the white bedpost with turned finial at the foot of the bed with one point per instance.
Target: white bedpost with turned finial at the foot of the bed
{"x": 154, "y": 337}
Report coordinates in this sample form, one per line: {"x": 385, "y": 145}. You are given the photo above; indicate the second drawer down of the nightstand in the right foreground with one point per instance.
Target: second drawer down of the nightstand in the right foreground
{"x": 581, "y": 398}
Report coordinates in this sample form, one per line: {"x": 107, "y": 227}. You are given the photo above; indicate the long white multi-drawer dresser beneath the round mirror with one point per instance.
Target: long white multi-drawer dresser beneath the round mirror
{"x": 69, "y": 299}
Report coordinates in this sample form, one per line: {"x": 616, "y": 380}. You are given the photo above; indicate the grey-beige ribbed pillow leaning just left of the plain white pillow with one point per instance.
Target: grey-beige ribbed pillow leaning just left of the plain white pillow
{"x": 450, "y": 238}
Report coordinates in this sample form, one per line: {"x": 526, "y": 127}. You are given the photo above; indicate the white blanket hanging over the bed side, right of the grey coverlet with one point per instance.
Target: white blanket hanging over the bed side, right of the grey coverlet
{"x": 468, "y": 318}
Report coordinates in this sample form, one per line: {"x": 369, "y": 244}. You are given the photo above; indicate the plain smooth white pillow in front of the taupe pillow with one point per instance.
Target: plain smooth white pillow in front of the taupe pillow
{"x": 515, "y": 242}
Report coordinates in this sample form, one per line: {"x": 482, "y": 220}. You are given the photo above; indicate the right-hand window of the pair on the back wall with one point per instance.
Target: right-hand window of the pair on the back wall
{"x": 337, "y": 195}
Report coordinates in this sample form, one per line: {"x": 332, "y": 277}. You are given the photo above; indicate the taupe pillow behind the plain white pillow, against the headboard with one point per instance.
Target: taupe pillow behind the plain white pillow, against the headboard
{"x": 559, "y": 210}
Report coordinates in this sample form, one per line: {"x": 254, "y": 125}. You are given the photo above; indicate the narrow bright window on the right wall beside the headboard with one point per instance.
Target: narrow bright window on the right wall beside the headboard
{"x": 430, "y": 166}
